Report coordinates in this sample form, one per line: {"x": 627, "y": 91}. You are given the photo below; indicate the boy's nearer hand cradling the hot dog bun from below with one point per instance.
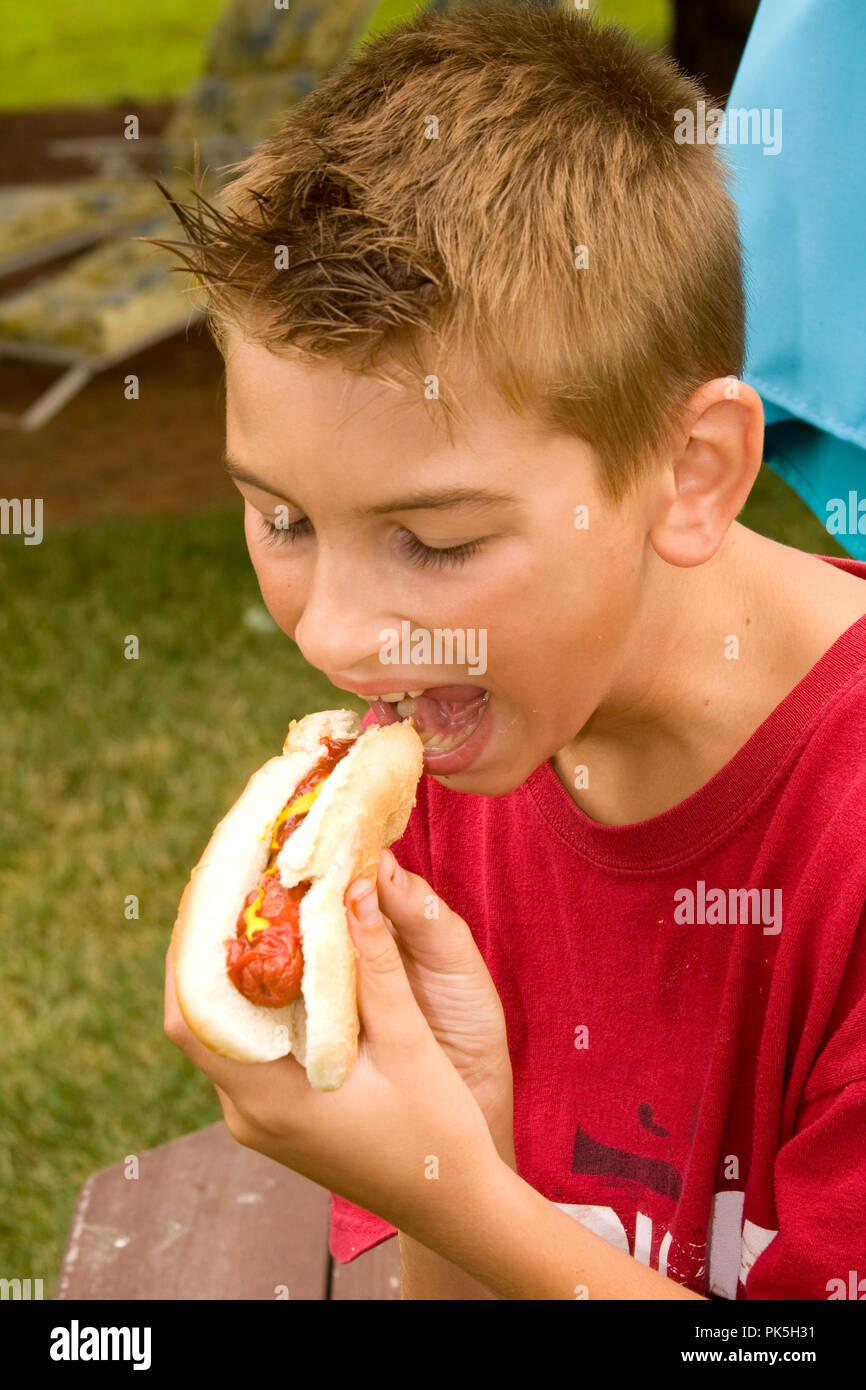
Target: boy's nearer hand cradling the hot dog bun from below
{"x": 402, "y": 1107}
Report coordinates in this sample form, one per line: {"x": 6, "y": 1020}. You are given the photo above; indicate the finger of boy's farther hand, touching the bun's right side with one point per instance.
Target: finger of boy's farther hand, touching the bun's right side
{"x": 426, "y": 926}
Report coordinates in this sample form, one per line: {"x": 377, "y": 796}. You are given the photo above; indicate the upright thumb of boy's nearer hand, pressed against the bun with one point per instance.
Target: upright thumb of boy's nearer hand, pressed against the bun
{"x": 386, "y": 1001}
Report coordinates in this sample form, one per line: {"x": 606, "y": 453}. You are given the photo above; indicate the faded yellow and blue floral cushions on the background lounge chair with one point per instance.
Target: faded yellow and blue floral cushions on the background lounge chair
{"x": 261, "y": 62}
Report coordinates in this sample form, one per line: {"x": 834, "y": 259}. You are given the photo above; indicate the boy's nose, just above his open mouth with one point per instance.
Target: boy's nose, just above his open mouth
{"x": 343, "y": 615}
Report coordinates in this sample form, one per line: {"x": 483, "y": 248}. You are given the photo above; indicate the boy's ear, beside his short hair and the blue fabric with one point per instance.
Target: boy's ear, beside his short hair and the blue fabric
{"x": 715, "y": 458}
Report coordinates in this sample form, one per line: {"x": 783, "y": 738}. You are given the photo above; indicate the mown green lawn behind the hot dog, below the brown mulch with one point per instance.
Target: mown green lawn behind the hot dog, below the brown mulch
{"x": 115, "y": 775}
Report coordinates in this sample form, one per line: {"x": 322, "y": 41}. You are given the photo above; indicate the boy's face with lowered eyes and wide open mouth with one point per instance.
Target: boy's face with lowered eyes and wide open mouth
{"x": 547, "y": 611}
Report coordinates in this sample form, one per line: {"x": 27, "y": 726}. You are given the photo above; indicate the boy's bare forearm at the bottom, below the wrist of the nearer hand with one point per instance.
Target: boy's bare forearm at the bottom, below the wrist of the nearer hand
{"x": 521, "y": 1246}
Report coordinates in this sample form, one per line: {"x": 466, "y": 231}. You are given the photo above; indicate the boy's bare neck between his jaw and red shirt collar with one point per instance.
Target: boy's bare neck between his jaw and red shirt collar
{"x": 700, "y": 675}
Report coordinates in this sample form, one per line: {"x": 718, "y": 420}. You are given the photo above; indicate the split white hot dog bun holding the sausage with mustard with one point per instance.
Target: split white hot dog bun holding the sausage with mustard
{"x": 363, "y": 806}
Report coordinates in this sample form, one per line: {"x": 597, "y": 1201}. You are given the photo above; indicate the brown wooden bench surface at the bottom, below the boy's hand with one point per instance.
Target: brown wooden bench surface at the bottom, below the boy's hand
{"x": 206, "y": 1220}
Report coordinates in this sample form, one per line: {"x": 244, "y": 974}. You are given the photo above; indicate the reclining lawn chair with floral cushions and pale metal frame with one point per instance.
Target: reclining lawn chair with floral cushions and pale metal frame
{"x": 120, "y": 298}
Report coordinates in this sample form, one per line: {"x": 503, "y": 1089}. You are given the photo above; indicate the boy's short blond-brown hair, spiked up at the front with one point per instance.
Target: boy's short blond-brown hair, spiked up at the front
{"x": 426, "y": 208}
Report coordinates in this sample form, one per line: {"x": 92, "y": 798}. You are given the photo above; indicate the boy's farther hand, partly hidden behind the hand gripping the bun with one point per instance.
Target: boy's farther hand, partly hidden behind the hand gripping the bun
{"x": 454, "y": 990}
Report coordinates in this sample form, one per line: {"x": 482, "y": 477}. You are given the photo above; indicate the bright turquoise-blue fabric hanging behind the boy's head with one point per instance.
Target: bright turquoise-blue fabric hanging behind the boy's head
{"x": 803, "y": 213}
